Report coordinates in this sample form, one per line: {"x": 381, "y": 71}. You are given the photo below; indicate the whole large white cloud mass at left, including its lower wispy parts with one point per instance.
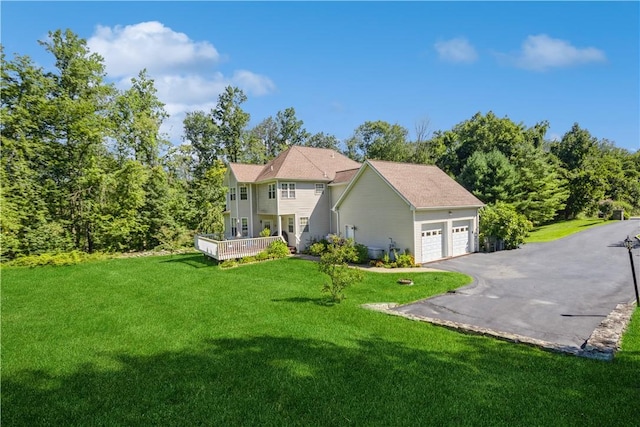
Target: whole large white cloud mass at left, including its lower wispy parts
{"x": 182, "y": 69}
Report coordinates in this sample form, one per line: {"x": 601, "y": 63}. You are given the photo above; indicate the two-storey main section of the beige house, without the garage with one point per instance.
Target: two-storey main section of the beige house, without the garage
{"x": 292, "y": 195}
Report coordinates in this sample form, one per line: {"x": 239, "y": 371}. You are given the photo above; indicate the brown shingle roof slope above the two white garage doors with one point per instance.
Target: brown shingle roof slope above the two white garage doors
{"x": 424, "y": 186}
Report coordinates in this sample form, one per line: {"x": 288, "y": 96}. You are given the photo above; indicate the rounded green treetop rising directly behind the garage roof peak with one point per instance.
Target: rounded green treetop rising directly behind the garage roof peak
{"x": 379, "y": 140}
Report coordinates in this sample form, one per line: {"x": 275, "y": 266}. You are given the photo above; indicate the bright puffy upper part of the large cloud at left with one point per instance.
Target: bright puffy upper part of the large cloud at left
{"x": 151, "y": 45}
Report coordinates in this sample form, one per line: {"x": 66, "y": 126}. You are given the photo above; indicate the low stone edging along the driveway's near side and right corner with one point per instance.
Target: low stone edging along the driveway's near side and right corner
{"x": 602, "y": 344}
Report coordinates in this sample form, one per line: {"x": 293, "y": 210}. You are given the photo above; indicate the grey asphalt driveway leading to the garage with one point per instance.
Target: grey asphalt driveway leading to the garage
{"x": 556, "y": 292}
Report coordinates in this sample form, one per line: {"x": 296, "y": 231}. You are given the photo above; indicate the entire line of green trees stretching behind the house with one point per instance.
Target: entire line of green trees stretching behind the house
{"x": 84, "y": 165}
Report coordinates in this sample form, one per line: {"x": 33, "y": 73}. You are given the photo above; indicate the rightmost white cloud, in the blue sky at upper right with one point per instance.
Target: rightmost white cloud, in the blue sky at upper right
{"x": 541, "y": 52}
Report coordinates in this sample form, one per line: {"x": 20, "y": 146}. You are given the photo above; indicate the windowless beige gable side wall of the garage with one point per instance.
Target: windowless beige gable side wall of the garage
{"x": 378, "y": 213}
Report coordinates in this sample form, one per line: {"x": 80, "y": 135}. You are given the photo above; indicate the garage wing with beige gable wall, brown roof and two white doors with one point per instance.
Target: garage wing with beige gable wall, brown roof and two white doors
{"x": 417, "y": 208}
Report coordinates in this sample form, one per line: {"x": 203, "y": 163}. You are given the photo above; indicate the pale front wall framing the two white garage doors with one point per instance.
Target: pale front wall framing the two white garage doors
{"x": 457, "y": 217}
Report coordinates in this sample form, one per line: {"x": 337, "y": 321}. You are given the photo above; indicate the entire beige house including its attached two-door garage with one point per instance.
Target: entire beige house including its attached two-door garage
{"x": 306, "y": 193}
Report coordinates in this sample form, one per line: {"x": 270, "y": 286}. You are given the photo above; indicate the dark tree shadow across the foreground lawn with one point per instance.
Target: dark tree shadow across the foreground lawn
{"x": 270, "y": 380}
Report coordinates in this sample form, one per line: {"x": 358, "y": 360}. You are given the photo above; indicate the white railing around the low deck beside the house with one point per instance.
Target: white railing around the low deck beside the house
{"x": 227, "y": 249}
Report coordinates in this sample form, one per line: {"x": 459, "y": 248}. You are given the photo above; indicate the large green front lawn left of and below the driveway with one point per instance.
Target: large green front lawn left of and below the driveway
{"x": 177, "y": 341}
